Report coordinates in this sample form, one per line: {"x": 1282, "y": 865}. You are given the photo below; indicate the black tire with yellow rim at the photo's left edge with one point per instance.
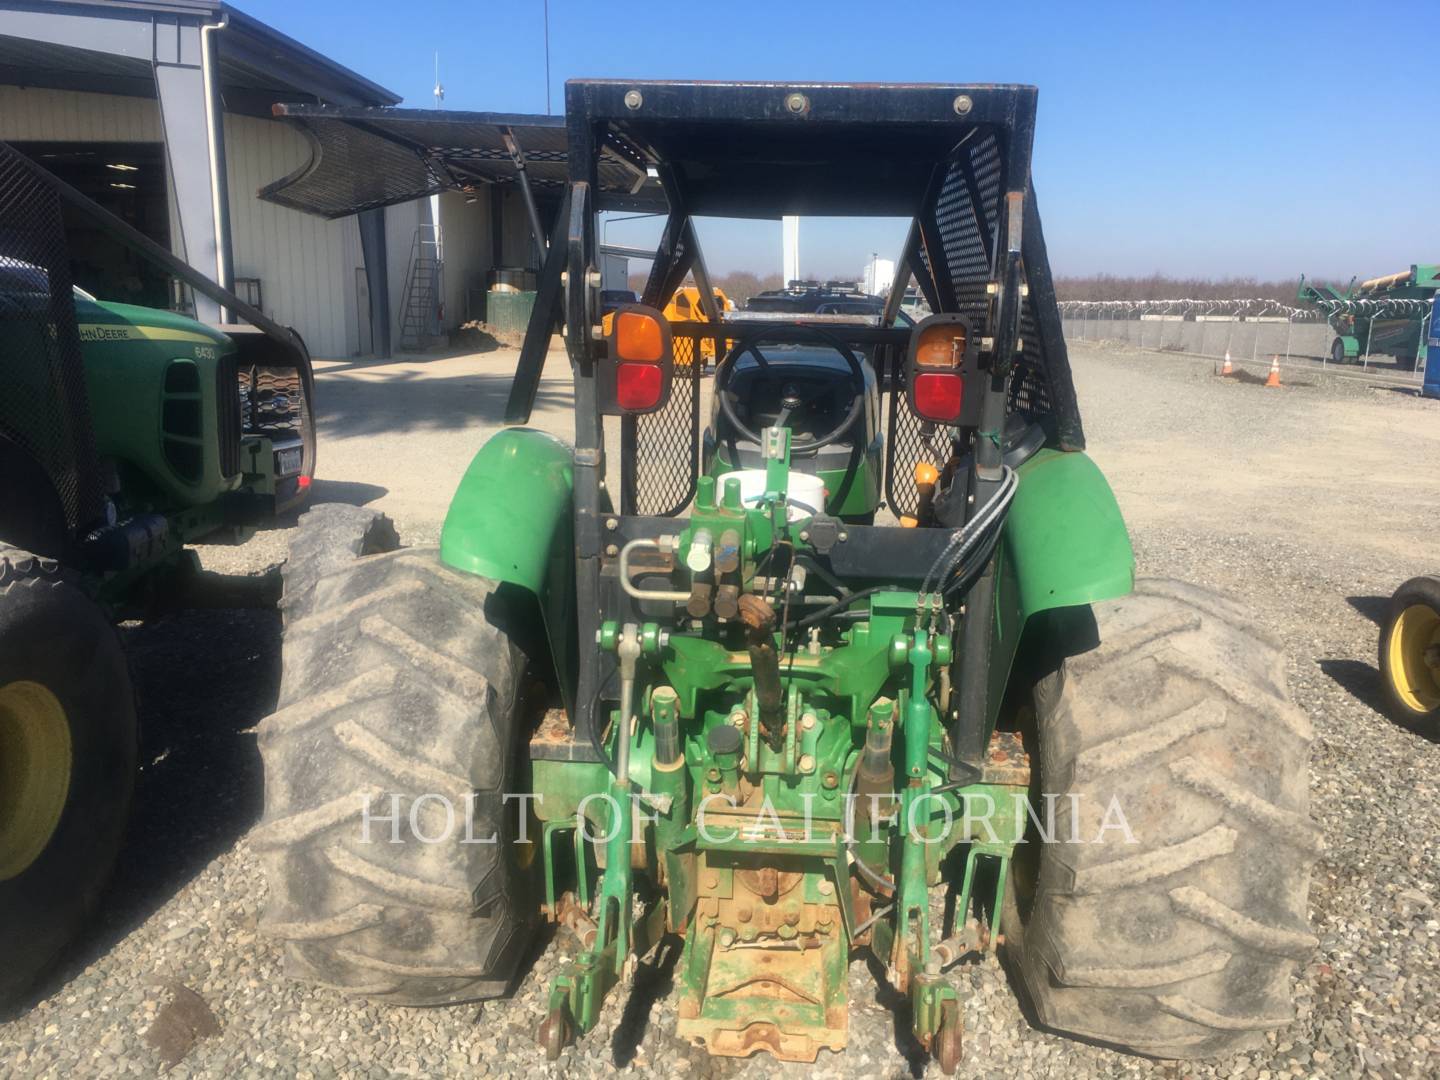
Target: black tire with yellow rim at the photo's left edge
{"x": 68, "y": 744}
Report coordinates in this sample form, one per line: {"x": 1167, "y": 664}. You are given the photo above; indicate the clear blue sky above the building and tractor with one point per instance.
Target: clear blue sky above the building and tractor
{"x": 1192, "y": 139}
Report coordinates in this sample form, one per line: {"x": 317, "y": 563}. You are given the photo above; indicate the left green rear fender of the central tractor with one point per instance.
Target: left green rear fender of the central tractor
{"x": 512, "y": 521}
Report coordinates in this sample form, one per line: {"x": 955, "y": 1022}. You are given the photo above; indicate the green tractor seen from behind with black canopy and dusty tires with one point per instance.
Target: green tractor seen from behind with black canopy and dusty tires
{"x": 705, "y": 688}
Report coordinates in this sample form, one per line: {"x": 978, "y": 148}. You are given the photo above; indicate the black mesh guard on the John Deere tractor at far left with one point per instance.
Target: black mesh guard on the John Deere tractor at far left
{"x": 44, "y": 407}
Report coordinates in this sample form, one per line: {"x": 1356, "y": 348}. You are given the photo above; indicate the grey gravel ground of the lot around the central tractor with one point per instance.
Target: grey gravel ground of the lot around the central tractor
{"x": 1310, "y": 503}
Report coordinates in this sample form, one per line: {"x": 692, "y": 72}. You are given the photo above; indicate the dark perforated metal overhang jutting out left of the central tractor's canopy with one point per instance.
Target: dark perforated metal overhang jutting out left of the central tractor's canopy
{"x": 369, "y": 158}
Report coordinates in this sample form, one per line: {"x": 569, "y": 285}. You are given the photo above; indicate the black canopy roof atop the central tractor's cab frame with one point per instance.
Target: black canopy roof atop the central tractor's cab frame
{"x": 767, "y": 150}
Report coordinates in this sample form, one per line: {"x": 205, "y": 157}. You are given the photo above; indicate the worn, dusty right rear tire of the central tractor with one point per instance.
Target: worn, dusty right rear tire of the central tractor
{"x": 1184, "y": 942}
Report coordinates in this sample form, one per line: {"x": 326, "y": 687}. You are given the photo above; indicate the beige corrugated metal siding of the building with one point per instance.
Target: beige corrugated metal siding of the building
{"x": 306, "y": 266}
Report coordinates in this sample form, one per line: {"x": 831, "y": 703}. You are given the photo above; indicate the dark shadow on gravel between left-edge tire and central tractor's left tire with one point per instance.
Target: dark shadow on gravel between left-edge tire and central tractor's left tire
{"x": 202, "y": 679}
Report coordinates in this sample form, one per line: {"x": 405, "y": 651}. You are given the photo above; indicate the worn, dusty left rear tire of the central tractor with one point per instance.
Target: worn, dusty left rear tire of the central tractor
{"x": 401, "y": 725}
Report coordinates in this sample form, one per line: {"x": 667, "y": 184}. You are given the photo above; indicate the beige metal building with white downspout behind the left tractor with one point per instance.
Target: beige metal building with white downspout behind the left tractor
{"x": 163, "y": 112}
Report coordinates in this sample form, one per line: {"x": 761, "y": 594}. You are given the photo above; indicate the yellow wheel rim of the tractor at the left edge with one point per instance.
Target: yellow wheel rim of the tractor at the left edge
{"x": 35, "y": 773}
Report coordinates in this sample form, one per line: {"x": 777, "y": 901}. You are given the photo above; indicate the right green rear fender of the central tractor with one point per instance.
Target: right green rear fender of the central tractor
{"x": 1065, "y": 546}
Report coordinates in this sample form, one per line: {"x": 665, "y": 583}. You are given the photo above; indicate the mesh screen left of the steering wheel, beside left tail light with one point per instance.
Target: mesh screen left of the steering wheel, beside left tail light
{"x": 663, "y": 464}
